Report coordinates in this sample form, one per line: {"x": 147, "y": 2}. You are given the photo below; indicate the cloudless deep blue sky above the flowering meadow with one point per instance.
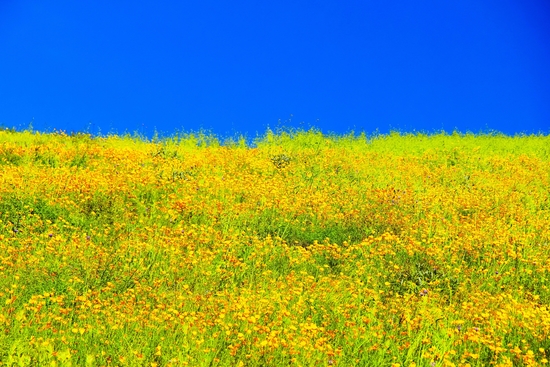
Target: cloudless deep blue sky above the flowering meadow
{"x": 242, "y": 66}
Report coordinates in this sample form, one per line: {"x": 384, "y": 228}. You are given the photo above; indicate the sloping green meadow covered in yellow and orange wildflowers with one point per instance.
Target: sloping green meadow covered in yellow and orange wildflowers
{"x": 302, "y": 250}
